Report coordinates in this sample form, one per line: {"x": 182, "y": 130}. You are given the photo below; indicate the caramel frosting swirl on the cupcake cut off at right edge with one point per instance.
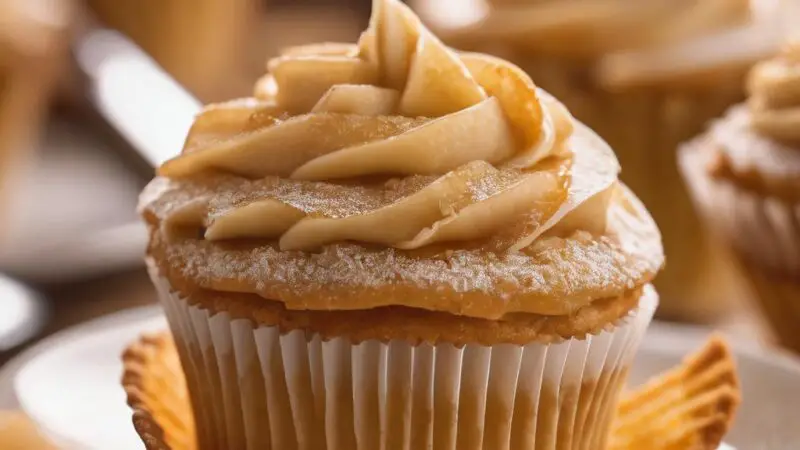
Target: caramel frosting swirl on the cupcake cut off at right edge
{"x": 775, "y": 96}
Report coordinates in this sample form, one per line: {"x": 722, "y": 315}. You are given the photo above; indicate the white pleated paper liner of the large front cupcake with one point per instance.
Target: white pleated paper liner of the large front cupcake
{"x": 253, "y": 387}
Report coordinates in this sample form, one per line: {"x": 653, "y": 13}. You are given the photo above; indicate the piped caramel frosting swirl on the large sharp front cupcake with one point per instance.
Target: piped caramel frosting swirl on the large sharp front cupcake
{"x": 397, "y": 141}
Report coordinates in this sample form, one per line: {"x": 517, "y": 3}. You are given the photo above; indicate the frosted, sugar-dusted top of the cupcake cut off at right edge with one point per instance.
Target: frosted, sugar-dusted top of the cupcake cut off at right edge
{"x": 759, "y": 141}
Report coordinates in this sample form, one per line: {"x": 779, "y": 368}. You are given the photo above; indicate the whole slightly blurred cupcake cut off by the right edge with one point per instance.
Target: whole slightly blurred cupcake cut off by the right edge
{"x": 744, "y": 174}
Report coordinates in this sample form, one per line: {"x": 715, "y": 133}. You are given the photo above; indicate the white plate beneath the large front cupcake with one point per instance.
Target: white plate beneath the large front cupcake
{"x": 69, "y": 384}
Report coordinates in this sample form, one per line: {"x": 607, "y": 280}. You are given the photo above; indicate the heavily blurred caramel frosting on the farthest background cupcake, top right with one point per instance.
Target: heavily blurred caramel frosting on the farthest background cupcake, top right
{"x": 595, "y": 27}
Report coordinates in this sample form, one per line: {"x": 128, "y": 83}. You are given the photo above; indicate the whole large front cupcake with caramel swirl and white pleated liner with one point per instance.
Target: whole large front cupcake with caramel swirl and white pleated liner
{"x": 393, "y": 245}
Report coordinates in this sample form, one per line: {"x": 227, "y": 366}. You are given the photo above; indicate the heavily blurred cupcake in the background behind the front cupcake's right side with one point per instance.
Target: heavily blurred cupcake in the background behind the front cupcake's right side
{"x": 645, "y": 76}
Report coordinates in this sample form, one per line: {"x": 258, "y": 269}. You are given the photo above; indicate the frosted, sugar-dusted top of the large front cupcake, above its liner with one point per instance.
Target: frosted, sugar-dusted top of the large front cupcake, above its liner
{"x": 399, "y": 172}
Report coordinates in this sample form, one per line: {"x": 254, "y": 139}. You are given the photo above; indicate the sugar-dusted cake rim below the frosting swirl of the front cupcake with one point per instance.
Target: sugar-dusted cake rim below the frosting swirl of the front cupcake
{"x": 555, "y": 275}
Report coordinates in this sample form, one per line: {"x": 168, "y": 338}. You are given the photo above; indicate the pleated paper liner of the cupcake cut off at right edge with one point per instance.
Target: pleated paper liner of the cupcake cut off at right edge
{"x": 765, "y": 233}
